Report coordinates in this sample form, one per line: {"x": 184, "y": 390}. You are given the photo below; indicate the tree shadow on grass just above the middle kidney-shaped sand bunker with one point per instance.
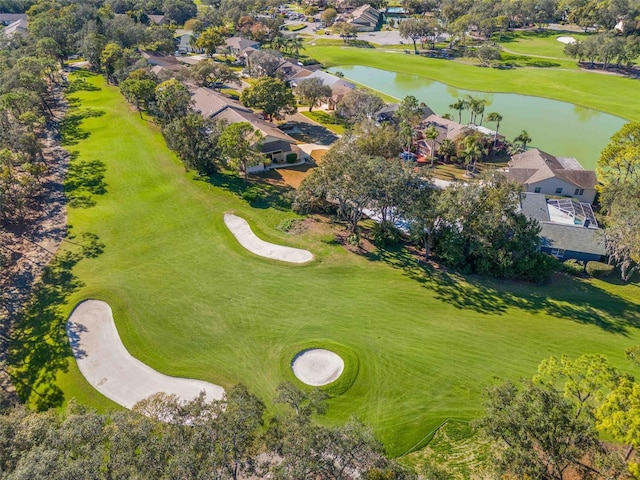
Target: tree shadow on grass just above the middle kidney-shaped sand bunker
{"x": 257, "y": 192}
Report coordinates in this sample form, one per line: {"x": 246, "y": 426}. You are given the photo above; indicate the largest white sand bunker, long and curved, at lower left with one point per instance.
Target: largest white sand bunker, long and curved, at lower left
{"x": 111, "y": 369}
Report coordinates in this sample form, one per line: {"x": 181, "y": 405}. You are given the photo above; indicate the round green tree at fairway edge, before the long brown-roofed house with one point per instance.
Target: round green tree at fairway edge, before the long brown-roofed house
{"x": 239, "y": 146}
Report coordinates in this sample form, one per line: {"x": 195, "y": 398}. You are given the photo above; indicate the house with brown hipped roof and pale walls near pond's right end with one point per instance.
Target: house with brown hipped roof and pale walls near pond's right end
{"x": 540, "y": 172}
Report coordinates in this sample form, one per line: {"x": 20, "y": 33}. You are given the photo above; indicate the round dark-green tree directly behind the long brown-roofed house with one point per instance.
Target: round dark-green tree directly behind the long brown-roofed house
{"x": 270, "y": 95}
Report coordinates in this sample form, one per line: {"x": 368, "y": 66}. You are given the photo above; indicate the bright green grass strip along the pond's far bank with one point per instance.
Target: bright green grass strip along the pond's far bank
{"x": 606, "y": 93}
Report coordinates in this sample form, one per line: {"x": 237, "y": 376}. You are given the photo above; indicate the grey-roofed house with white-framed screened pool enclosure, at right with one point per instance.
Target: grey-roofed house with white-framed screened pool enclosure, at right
{"x": 568, "y": 228}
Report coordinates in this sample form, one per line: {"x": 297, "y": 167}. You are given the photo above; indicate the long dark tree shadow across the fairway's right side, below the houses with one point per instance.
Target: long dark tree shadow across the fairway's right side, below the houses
{"x": 565, "y": 297}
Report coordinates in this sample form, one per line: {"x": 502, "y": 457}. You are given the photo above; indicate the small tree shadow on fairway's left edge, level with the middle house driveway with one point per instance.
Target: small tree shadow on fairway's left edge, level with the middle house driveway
{"x": 84, "y": 180}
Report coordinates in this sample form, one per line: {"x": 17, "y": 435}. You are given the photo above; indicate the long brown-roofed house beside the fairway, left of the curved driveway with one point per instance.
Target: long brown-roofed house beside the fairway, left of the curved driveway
{"x": 277, "y": 146}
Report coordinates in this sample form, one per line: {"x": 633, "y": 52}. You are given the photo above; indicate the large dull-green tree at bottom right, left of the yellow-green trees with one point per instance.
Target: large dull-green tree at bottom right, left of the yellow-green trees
{"x": 538, "y": 434}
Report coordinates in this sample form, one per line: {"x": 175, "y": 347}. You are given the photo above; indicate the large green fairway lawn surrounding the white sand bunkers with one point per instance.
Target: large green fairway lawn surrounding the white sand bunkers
{"x": 189, "y": 301}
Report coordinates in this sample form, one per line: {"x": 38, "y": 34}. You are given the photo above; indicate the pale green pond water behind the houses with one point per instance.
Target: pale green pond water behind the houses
{"x": 558, "y": 128}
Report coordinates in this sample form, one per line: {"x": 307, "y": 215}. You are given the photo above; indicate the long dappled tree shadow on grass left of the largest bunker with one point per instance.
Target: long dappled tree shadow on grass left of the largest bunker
{"x": 39, "y": 348}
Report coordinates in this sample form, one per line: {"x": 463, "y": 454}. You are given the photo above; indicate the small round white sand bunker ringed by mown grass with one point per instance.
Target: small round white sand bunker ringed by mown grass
{"x": 317, "y": 367}
